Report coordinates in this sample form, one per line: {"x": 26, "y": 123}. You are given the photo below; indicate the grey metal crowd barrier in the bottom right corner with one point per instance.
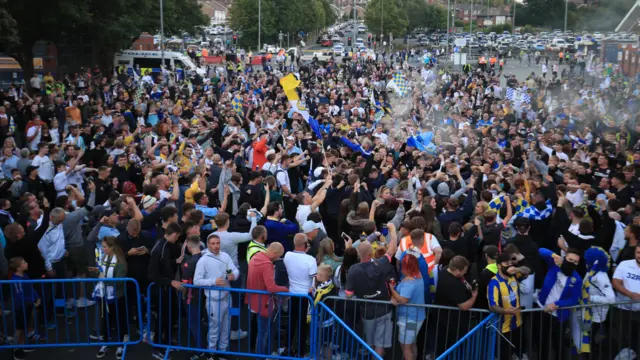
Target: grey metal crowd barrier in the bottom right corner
{"x": 612, "y": 333}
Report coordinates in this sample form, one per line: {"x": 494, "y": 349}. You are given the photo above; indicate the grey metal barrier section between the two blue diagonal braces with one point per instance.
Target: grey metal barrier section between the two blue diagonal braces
{"x": 441, "y": 328}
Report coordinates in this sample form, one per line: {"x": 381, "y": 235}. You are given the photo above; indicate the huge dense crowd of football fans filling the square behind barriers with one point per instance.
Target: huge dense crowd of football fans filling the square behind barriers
{"x": 506, "y": 198}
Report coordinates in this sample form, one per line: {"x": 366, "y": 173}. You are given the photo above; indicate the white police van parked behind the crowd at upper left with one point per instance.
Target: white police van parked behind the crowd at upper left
{"x": 151, "y": 60}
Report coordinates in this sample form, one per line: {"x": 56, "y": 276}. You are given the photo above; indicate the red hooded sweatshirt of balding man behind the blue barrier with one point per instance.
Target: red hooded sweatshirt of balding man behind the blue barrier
{"x": 262, "y": 277}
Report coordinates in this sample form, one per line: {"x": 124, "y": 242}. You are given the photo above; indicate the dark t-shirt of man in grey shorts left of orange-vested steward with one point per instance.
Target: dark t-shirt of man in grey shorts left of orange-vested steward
{"x": 369, "y": 281}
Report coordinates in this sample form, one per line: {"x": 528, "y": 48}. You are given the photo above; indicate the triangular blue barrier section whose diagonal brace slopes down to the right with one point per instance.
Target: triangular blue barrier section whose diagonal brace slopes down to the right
{"x": 334, "y": 336}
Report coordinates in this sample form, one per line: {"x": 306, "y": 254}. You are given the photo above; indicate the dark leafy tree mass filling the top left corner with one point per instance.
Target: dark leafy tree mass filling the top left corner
{"x": 109, "y": 26}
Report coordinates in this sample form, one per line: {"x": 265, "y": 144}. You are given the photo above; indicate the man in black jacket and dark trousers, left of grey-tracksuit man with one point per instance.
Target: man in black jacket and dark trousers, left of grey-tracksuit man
{"x": 162, "y": 266}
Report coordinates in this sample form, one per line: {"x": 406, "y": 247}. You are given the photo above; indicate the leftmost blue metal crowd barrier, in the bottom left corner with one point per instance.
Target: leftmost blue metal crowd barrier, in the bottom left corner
{"x": 40, "y": 310}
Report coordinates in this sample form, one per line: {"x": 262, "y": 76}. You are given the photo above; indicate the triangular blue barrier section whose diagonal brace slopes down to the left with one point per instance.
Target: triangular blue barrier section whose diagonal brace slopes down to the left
{"x": 478, "y": 344}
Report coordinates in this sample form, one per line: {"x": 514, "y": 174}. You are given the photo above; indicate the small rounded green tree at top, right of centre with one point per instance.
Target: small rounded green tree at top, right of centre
{"x": 386, "y": 16}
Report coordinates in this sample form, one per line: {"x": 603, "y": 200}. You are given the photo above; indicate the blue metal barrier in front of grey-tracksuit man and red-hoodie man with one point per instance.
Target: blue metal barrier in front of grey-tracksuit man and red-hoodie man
{"x": 202, "y": 318}
